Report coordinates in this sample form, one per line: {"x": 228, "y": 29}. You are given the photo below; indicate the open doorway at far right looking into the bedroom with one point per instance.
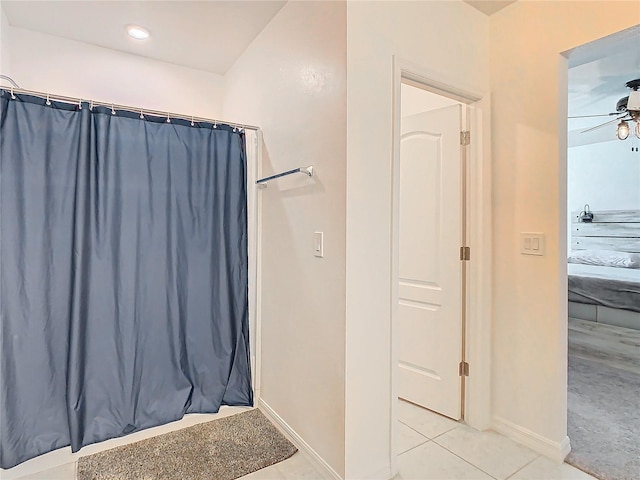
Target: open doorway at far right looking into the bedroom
{"x": 603, "y": 224}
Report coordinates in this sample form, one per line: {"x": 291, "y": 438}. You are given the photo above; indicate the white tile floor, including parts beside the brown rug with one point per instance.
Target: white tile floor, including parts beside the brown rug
{"x": 431, "y": 447}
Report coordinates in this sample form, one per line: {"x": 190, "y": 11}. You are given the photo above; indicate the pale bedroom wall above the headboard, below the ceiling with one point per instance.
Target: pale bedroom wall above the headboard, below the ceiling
{"x": 604, "y": 175}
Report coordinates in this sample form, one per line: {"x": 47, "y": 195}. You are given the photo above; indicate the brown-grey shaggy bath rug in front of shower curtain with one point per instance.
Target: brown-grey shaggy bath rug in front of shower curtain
{"x": 222, "y": 449}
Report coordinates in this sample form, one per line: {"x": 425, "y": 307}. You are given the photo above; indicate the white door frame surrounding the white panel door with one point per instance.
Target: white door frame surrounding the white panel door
{"x": 477, "y": 307}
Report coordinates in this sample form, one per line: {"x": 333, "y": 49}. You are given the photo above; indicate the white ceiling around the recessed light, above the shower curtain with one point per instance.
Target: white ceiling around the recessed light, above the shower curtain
{"x": 182, "y": 32}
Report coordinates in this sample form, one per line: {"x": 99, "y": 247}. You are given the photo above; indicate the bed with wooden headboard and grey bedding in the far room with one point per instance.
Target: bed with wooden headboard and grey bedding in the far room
{"x": 604, "y": 268}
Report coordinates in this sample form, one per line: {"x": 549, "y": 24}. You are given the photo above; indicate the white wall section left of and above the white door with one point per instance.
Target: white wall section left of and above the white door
{"x": 451, "y": 40}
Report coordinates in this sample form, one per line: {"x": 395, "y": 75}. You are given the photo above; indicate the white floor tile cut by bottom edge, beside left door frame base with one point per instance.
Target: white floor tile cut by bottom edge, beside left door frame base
{"x": 432, "y": 462}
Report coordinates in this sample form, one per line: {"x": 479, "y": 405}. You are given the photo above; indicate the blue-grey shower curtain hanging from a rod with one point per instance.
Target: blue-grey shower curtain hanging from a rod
{"x": 123, "y": 273}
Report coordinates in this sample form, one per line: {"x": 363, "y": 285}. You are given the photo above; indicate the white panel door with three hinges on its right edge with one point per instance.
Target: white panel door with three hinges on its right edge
{"x": 430, "y": 270}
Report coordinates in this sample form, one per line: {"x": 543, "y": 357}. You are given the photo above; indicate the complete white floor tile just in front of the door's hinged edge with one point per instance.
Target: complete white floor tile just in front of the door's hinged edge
{"x": 489, "y": 451}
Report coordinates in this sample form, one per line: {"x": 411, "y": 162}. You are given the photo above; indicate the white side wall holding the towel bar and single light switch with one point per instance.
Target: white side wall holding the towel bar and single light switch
{"x": 292, "y": 82}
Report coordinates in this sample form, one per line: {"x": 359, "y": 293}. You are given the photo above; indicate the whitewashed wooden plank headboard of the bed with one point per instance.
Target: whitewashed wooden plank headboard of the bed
{"x": 610, "y": 230}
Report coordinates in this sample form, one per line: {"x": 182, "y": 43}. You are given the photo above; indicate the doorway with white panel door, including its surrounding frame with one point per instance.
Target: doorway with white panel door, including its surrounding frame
{"x": 441, "y": 210}
